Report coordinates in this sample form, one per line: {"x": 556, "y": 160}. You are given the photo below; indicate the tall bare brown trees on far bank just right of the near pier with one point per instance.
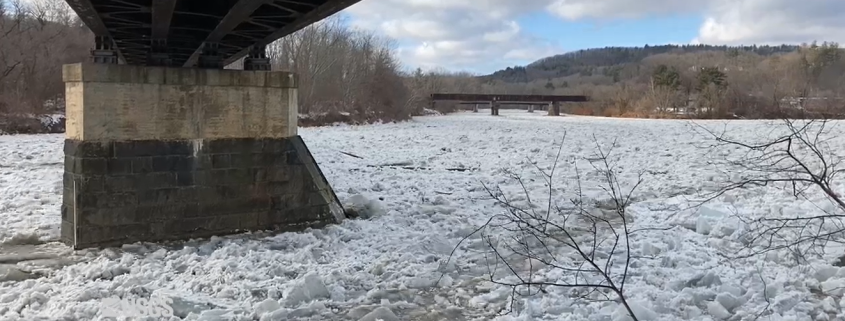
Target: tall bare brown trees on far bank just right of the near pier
{"x": 343, "y": 71}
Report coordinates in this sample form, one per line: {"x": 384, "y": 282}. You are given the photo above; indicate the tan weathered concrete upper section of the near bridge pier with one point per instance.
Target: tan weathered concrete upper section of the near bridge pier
{"x": 122, "y": 103}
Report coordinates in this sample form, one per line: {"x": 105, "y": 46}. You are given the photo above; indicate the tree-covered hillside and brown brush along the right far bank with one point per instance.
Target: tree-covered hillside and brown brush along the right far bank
{"x": 758, "y": 81}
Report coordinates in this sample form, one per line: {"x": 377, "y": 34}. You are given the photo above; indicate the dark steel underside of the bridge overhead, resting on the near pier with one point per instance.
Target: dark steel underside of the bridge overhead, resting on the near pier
{"x": 195, "y": 33}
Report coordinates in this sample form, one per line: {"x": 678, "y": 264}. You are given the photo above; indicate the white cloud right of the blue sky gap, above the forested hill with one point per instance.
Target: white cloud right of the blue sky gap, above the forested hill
{"x": 728, "y": 21}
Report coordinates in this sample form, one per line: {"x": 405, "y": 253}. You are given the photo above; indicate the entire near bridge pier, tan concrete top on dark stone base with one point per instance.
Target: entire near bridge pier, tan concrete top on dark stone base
{"x": 154, "y": 154}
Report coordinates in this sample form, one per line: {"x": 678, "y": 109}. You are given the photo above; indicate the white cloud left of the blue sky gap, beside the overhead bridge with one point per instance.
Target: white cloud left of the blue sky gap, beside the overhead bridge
{"x": 468, "y": 35}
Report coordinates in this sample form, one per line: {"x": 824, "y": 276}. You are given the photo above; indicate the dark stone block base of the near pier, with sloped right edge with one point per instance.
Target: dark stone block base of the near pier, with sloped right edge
{"x": 241, "y": 190}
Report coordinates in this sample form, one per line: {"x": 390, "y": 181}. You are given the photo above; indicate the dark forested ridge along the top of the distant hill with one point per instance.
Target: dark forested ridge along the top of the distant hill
{"x": 589, "y": 61}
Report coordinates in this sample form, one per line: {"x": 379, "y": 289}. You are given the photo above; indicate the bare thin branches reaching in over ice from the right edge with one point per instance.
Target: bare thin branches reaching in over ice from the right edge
{"x": 796, "y": 158}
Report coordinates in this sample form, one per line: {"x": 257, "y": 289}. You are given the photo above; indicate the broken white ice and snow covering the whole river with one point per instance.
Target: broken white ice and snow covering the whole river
{"x": 416, "y": 217}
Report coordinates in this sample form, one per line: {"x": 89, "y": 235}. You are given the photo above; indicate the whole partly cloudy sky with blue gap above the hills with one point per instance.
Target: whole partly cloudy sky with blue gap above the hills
{"x": 486, "y": 35}
